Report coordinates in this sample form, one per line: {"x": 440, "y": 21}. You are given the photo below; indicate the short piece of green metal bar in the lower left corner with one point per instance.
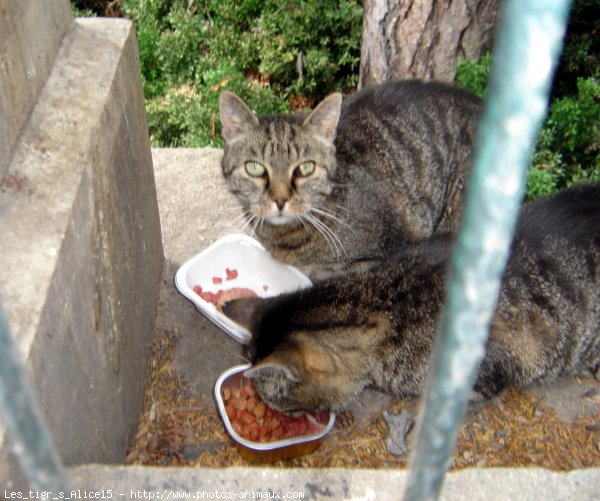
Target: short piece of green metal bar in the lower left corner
{"x": 26, "y": 430}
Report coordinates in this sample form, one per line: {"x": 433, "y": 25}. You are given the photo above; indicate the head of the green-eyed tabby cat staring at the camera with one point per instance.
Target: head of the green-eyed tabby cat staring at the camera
{"x": 279, "y": 167}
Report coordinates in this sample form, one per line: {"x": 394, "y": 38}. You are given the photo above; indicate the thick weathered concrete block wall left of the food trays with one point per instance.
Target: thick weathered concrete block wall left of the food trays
{"x": 82, "y": 251}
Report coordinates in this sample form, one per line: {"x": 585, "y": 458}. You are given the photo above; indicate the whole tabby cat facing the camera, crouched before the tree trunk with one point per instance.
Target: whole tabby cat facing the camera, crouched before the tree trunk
{"x": 353, "y": 180}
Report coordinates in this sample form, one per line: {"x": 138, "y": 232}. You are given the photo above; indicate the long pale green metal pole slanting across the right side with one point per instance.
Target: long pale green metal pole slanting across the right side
{"x": 528, "y": 45}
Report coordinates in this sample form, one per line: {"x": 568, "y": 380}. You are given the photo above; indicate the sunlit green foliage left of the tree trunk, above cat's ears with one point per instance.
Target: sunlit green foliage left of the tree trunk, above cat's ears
{"x": 266, "y": 51}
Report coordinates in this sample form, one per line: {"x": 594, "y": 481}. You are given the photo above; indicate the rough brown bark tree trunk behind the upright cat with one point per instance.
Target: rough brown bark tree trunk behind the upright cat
{"x": 423, "y": 38}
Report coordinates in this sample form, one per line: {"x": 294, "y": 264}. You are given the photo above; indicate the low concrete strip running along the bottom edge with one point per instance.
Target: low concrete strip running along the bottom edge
{"x": 331, "y": 484}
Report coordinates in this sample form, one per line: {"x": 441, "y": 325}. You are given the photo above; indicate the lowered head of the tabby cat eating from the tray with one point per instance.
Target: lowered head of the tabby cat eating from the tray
{"x": 297, "y": 370}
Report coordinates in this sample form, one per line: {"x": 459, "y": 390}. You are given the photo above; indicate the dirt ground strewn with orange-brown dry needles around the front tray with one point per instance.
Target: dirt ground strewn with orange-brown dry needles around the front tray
{"x": 556, "y": 427}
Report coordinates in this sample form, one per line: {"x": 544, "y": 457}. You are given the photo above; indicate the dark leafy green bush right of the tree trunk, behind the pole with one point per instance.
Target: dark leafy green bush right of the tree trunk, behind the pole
{"x": 568, "y": 146}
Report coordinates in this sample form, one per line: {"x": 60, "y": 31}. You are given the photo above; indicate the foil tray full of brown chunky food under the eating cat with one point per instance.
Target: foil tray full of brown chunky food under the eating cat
{"x": 262, "y": 434}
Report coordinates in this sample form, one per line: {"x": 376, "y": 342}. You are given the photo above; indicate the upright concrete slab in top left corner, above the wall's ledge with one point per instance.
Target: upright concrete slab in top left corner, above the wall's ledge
{"x": 30, "y": 35}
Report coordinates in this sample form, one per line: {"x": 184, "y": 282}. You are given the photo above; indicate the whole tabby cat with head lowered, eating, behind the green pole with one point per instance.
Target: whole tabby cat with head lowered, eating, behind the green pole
{"x": 318, "y": 348}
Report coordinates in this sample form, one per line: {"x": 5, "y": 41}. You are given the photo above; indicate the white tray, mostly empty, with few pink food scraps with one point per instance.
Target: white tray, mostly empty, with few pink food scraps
{"x": 232, "y": 267}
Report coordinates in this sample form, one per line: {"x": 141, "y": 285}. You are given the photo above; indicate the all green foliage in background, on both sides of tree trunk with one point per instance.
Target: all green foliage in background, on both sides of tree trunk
{"x": 272, "y": 52}
